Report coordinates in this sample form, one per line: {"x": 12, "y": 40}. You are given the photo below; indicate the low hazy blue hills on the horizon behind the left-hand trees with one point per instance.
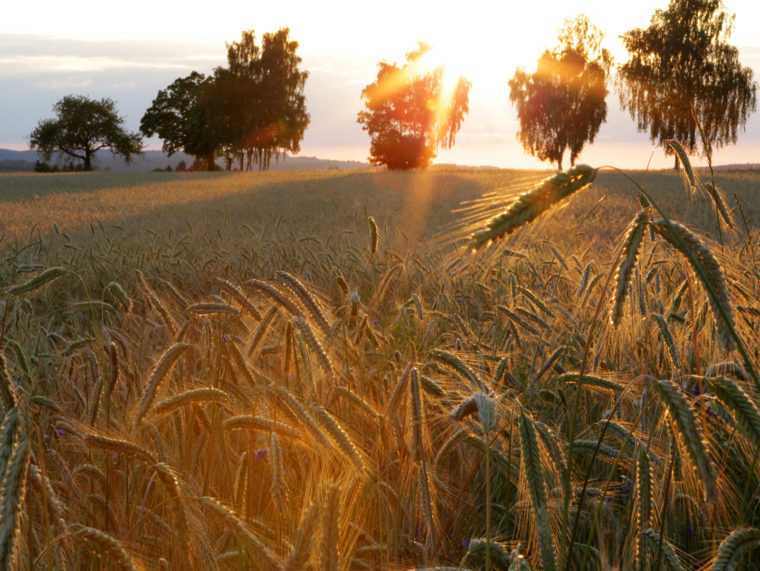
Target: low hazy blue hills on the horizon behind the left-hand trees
{"x": 20, "y": 161}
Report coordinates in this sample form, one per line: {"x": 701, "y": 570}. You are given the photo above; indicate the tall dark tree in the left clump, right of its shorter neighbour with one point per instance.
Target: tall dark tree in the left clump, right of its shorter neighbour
{"x": 258, "y": 101}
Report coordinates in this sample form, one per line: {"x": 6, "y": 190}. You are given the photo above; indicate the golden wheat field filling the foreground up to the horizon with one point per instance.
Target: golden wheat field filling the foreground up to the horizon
{"x": 463, "y": 369}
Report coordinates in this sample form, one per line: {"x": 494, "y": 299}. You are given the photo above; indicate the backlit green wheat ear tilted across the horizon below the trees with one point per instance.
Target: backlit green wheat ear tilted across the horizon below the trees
{"x": 530, "y": 205}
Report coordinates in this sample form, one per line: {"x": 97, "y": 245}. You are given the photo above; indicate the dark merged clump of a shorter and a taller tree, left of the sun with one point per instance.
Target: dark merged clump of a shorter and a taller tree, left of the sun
{"x": 254, "y": 108}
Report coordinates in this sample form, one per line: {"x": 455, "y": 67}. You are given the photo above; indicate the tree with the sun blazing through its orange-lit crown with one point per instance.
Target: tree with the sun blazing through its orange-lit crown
{"x": 409, "y": 114}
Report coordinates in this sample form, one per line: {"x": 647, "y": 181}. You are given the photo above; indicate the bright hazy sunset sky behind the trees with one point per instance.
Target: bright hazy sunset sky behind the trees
{"x": 131, "y": 51}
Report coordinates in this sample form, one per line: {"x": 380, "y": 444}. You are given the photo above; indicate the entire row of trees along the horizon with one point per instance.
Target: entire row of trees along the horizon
{"x": 682, "y": 80}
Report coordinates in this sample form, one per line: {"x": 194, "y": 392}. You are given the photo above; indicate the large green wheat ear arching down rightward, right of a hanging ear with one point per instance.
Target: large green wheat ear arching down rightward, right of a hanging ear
{"x": 709, "y": 271}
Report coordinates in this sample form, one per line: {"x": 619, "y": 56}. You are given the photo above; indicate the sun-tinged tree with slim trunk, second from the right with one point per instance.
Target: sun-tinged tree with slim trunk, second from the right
{"x": 562, "y": 105}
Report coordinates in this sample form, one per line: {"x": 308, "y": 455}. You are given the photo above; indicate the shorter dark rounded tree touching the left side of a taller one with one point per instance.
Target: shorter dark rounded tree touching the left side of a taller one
{"x": 180, "y": 118}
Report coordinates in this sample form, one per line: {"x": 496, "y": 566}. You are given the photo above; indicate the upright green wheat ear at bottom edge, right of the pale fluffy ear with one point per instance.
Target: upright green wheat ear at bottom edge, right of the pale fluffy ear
{"x": 534, "y": 479}
